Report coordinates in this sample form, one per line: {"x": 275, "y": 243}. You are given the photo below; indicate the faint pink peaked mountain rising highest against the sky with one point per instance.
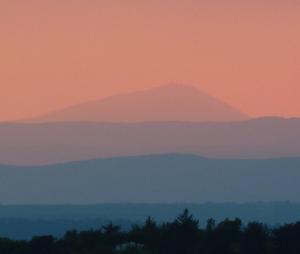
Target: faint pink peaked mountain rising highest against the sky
{"x": 166, "y": 103}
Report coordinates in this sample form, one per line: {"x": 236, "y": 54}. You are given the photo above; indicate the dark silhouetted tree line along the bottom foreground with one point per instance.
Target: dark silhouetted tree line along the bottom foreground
{"x": 184, "y": 235}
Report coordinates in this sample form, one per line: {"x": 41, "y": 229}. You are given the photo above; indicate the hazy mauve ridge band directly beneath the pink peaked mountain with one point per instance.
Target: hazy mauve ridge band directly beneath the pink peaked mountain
{"x": 28, "y": 144}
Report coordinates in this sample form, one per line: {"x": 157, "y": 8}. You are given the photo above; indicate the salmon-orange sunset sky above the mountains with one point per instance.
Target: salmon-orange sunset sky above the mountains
{"x": 55, "y": 53}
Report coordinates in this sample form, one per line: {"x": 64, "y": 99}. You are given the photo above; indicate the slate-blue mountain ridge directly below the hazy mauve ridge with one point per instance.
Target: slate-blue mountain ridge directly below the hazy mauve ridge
{"x": 148, "y": 179}
